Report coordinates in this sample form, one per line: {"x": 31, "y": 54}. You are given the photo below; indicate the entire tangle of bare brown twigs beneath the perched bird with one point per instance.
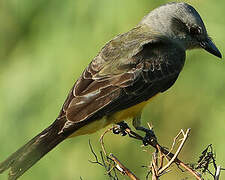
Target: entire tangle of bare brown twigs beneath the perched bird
{"x": 157, "y": 167}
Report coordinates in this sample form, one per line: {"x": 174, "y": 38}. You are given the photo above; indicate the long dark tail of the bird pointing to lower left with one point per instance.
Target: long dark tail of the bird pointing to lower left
{"x": 20, "y": 161}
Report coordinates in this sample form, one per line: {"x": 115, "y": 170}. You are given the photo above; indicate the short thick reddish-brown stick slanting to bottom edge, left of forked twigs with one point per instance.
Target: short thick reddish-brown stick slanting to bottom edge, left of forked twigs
{"x": 122, "y": 168}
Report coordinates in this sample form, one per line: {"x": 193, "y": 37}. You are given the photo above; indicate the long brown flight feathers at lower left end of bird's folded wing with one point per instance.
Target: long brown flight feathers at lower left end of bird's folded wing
{"x": 98, "y": 94}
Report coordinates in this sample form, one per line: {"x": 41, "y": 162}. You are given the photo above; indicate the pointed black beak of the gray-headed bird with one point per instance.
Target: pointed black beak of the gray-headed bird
{"x": 209, "y": 46}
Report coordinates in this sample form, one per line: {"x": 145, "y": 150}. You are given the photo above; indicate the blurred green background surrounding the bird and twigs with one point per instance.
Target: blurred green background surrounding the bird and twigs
{"x": 44, "y": 47}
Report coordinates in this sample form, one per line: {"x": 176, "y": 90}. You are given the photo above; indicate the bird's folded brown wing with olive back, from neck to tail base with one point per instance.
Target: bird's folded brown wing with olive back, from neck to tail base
{"x": 128, "y": 70}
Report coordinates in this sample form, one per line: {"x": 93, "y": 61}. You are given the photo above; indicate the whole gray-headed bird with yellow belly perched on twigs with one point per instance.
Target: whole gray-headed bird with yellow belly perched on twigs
{"x": 126, "y": 74}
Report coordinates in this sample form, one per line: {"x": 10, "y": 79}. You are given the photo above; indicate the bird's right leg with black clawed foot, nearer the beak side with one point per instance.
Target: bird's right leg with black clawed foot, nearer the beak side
{"x": 149, "y": 133}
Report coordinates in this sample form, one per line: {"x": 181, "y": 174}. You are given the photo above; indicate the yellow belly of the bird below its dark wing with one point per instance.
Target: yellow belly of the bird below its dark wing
{"x": 119, "y": 116}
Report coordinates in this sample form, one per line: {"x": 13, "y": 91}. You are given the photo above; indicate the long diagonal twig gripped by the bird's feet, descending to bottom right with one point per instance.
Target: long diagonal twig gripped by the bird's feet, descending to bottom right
{"x": 154, "y": 143}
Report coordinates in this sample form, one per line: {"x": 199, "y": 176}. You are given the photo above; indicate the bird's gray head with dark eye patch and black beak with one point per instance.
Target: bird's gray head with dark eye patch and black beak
{"x": 182, "y": 23}
